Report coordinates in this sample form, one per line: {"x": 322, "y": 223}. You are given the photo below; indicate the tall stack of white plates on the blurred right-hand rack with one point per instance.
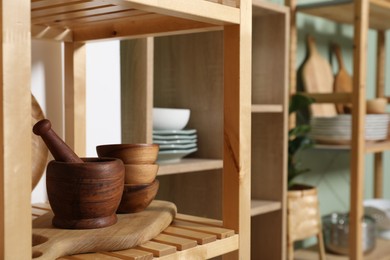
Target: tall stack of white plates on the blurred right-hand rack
{"x": 338, "y": 129}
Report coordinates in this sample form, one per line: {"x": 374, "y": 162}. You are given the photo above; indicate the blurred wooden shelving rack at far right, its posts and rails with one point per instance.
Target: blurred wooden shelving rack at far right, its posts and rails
{"x": 362, "y": 15}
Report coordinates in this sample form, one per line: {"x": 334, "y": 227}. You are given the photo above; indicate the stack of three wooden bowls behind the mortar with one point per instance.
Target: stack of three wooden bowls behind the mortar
{"x": 140, "y": 185}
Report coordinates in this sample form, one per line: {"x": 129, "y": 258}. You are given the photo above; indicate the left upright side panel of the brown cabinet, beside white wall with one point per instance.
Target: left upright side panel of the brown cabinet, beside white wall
{"x": 137, "y": 61}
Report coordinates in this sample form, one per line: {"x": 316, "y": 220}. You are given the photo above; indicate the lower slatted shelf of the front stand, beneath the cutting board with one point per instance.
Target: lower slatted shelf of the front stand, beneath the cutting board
{"x": 187, "y": 236}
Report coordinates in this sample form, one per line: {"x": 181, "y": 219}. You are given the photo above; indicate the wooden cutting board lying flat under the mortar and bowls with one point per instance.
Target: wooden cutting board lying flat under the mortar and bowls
{"x": 130, "y": 230}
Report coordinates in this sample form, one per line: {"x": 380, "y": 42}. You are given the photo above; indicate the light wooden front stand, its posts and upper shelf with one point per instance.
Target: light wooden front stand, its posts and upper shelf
{"x": 76, "y": 23}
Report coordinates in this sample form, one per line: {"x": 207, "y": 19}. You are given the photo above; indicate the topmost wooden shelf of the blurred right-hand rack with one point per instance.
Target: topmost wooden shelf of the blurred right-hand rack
{"x": 343, "y": 12}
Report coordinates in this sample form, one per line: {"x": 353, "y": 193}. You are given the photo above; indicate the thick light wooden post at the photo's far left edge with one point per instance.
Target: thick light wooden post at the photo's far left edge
{"x": 15, "y": 132}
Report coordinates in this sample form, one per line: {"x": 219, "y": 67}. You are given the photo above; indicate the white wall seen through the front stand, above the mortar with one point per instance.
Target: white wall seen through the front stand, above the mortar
{"x": 103, "y": 94}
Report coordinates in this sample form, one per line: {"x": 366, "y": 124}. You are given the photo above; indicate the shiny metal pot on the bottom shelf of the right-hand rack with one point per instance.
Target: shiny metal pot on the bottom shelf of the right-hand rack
{"x": 336, "y": 233}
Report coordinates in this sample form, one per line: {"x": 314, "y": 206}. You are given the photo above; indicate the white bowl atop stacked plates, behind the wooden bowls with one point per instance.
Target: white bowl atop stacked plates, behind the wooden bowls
{"x": 168, "y": 132}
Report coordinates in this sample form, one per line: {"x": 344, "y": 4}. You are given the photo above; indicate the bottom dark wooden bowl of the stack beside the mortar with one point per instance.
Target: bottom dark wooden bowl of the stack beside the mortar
{"x": 136, "y": 198}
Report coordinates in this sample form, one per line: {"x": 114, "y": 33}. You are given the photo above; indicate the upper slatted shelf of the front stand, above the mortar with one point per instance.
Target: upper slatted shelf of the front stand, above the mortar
{"x": 86, "y": 20}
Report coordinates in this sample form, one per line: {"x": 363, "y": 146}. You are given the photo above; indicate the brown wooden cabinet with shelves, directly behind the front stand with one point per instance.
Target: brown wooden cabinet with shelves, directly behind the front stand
{"x": 188, "y": 73}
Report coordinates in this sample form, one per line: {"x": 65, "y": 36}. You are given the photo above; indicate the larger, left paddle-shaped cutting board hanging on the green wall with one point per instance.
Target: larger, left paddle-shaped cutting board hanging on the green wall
{"x": 317, "y": 77}
